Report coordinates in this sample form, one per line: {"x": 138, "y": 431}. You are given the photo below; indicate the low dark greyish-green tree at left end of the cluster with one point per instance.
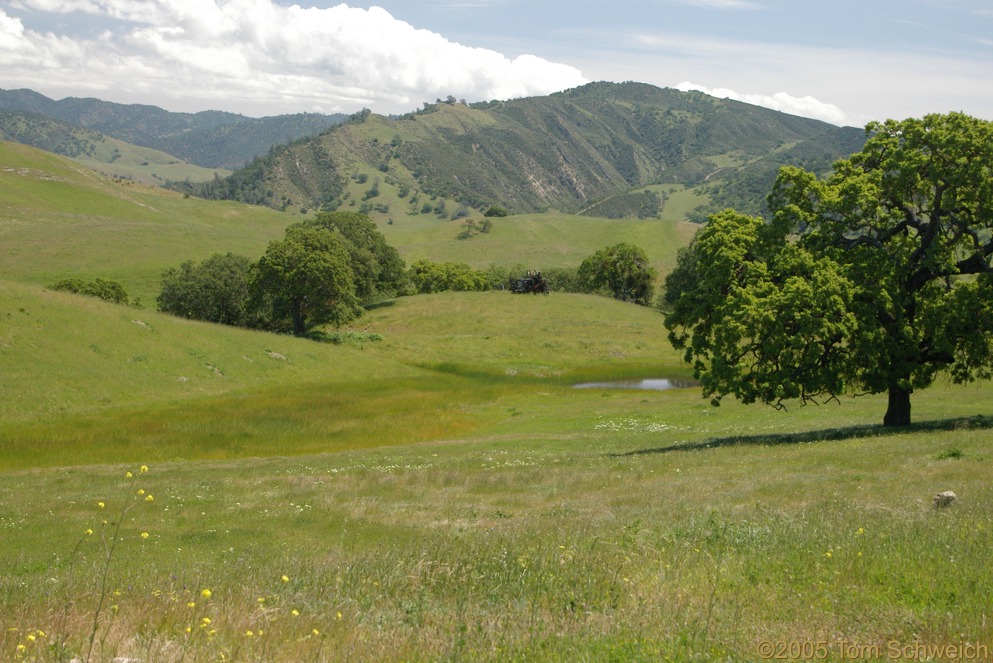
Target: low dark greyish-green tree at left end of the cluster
{"x": 215, "y": 290}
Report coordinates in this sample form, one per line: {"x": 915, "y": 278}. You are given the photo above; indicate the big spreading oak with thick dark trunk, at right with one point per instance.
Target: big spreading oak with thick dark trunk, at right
{"x": 873, "y": 280}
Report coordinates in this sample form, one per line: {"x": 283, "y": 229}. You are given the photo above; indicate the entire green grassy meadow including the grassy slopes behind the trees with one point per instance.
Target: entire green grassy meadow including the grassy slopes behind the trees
{"x": 435, "y": 488}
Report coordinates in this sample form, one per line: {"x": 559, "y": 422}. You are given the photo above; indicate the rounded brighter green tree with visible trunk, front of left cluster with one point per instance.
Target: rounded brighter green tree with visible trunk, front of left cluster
{"x": 305, "y": 280}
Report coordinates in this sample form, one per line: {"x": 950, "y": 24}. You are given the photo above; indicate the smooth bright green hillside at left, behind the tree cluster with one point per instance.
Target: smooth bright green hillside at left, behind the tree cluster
{"x": 60, "y": 220}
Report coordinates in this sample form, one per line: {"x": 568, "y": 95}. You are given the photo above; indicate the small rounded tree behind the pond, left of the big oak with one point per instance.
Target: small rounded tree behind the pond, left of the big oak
{"x": 622, "y": 270}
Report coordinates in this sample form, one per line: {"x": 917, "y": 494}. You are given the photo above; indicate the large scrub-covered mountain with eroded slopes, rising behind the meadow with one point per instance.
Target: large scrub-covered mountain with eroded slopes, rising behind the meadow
{"x": 567, "y": 151}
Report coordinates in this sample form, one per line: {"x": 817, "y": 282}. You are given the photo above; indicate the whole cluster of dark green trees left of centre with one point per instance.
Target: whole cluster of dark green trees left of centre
{"x": 322, "y": 272}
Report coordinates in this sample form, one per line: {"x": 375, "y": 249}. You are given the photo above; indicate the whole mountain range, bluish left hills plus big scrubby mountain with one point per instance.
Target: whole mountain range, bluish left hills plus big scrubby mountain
{"x": 603, "y": 149}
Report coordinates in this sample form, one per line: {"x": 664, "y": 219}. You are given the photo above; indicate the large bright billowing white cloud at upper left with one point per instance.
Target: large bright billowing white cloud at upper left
{"x": 256, "y": 54}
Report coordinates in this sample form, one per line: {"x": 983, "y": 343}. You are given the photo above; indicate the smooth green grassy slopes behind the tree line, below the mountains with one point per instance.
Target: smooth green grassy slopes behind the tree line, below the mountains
{"x": 59, "y": 220}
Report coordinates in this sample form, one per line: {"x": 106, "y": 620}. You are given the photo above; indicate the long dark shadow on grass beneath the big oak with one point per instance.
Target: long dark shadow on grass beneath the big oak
{"x": 824, "y": 435}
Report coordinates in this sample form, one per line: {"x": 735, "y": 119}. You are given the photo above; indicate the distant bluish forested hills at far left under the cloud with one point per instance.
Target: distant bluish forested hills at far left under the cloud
{"x": 210, "y": 139}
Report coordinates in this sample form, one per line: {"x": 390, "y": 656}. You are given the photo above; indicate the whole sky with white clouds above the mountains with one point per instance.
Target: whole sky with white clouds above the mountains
{"x": 842, "y": 61}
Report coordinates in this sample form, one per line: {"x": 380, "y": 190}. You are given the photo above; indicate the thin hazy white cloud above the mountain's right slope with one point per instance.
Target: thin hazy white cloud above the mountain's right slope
{"x": 864, "y": 82}
